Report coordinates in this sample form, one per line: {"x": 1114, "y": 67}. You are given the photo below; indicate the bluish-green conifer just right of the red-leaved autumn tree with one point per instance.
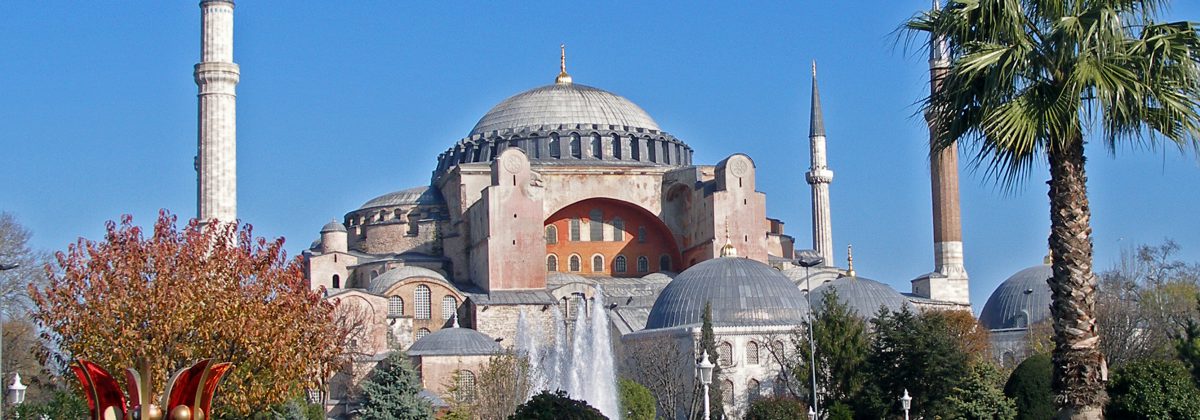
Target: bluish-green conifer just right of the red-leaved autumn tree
{"x": 392, "y": 391}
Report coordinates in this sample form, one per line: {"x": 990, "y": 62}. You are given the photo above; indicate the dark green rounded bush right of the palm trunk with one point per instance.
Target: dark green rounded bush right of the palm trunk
{"x": 1154, "y": 389}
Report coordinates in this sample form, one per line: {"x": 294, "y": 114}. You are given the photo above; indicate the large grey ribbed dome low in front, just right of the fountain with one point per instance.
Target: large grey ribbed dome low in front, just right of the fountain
{"x": 742, "y": 293}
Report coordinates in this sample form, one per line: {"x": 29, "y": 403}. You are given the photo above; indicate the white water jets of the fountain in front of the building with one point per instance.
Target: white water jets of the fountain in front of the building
{"x": 581, "y": 367}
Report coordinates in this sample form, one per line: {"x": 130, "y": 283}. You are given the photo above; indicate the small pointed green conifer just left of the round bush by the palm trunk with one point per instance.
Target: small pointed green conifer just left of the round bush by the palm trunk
{"x": 980, "y": 397}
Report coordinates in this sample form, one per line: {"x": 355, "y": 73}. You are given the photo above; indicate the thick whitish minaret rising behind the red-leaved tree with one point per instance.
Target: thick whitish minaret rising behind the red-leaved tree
{"x": 217, "y": 76}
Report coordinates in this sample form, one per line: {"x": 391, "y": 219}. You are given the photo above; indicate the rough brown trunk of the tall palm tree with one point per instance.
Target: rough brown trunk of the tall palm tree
{"x": 1079, "y": 368}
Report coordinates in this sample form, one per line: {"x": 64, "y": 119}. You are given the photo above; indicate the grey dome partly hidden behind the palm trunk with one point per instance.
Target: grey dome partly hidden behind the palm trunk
{"x": 1022, "y": 301}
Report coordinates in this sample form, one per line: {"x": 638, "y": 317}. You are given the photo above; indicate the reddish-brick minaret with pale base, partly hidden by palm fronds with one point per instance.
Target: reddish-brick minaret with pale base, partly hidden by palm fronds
{"x": 949, "y": 283}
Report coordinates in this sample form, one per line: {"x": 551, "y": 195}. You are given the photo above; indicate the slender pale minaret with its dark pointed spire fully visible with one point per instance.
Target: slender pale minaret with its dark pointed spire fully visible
{"x": 820, "y": 177}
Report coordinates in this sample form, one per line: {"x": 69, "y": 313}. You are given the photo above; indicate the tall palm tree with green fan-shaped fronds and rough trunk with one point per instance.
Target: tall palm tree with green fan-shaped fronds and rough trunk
{"x": 1033, "y": 80}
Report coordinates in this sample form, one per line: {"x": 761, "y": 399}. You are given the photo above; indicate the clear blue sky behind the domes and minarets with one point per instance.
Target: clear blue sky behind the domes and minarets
{"x": 340, "y": 103}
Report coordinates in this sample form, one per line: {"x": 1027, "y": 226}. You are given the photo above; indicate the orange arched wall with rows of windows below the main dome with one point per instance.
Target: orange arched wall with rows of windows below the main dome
{"x": 659, "y": 239}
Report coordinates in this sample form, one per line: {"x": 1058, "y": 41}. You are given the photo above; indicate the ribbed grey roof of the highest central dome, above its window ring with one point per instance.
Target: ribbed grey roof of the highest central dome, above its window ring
{"x": 567, "y": 104}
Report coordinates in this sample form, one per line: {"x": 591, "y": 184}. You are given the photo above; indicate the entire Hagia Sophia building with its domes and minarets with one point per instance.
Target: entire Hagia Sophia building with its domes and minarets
{"x": 567, "y": 195}
